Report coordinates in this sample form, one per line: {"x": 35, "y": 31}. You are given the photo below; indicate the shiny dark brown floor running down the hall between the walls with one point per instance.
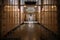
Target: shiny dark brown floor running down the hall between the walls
{"x": 31, "y": 31}
